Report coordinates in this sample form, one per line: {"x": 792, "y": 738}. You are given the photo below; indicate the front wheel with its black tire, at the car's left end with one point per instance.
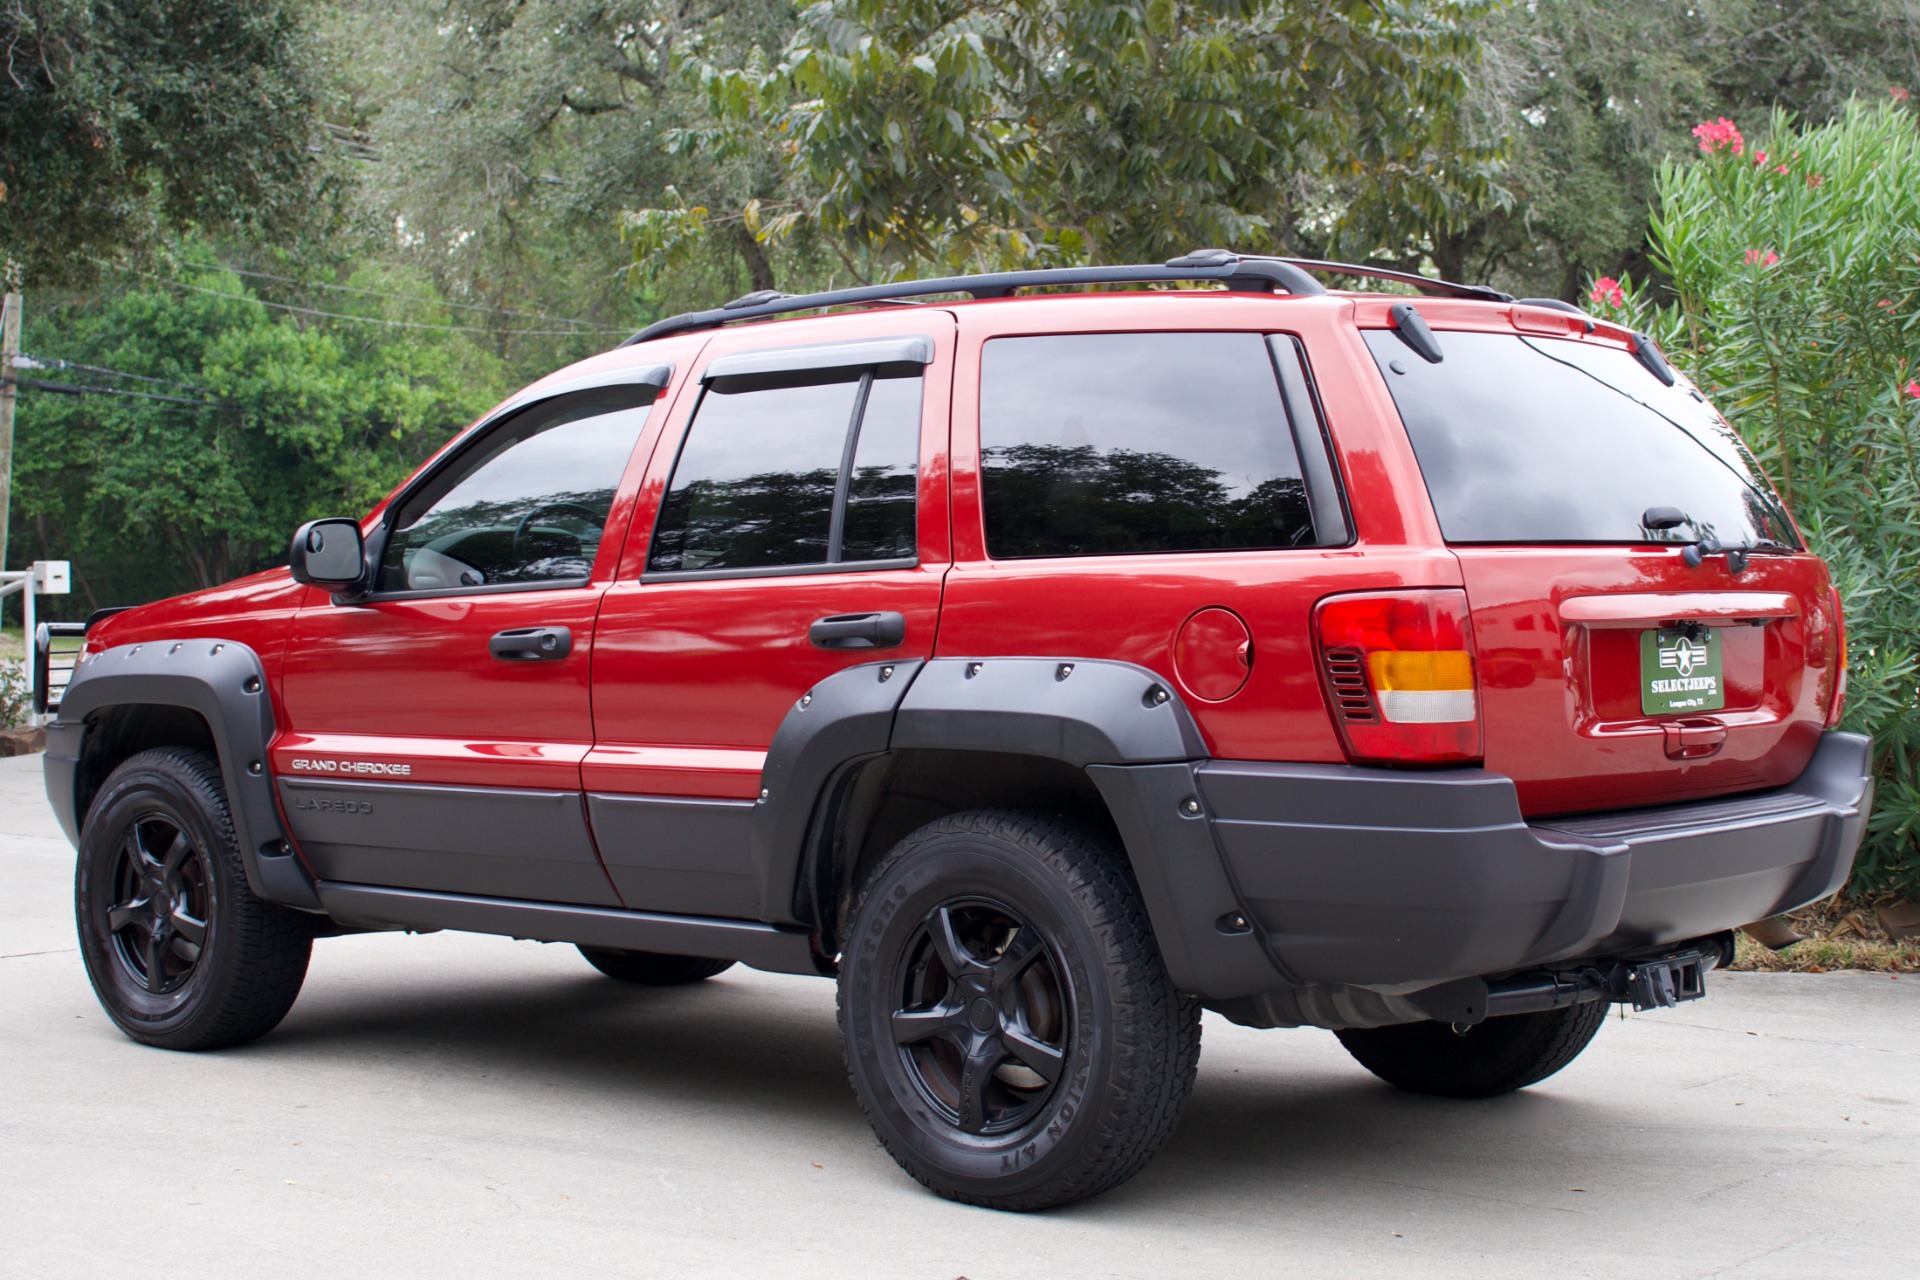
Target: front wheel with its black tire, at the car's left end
{"x": 180, "y": 951}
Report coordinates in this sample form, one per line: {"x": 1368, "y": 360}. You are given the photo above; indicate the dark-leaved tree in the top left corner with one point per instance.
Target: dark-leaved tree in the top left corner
{"x": 120, "y": 118}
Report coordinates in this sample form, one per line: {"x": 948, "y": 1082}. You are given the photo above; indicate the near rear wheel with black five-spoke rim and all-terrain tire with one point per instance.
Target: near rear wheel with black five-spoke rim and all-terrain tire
{"x": 988, "y": 951}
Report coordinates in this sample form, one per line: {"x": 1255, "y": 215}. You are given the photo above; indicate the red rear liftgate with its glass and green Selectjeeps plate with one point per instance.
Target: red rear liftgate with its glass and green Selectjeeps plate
{"x": 1614, "y": 673}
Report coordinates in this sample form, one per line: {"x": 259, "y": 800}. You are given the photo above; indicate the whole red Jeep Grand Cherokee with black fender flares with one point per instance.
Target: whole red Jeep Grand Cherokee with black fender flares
{"x": 1045, "y": 669}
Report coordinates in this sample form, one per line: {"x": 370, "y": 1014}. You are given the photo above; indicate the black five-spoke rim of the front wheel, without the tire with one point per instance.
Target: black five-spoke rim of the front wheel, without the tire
{"x": 158, "y": 920}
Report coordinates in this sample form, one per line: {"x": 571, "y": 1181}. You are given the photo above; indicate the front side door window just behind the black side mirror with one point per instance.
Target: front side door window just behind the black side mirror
{"x": 525, "y": 506}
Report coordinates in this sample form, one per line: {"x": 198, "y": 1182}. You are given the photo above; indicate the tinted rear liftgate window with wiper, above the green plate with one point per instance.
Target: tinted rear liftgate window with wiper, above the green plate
{"x": 1545, "y": 440}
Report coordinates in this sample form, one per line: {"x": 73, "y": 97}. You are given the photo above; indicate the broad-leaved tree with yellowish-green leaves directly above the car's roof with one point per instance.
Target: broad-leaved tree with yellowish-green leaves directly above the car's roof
{"x": 967, "y": 133}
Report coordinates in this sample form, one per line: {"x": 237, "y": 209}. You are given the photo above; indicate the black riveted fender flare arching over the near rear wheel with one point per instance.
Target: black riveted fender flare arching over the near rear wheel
{"x": 863, "y": 759}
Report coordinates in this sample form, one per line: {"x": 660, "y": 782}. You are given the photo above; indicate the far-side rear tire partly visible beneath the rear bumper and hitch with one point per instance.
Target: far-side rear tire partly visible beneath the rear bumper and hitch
{"x": 1493, "y": 1058}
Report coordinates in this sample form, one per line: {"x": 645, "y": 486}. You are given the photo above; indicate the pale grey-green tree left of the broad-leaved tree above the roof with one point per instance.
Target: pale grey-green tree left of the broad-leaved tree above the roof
{"x": 506, "y": 137}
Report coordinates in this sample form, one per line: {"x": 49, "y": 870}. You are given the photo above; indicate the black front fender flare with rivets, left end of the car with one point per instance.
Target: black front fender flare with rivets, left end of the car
{"x": 226, "y": 684}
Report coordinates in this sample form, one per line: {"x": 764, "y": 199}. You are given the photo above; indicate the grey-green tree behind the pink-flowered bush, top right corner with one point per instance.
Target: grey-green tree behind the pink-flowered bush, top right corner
{"x": 1593, "y": 95}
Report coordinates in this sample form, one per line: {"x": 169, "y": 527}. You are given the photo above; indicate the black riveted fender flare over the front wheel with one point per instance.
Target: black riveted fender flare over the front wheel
{"x": 201, "y": 692}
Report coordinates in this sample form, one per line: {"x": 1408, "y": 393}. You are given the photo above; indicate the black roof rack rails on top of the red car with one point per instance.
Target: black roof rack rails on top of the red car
{"x": 1249, "y": 273}
